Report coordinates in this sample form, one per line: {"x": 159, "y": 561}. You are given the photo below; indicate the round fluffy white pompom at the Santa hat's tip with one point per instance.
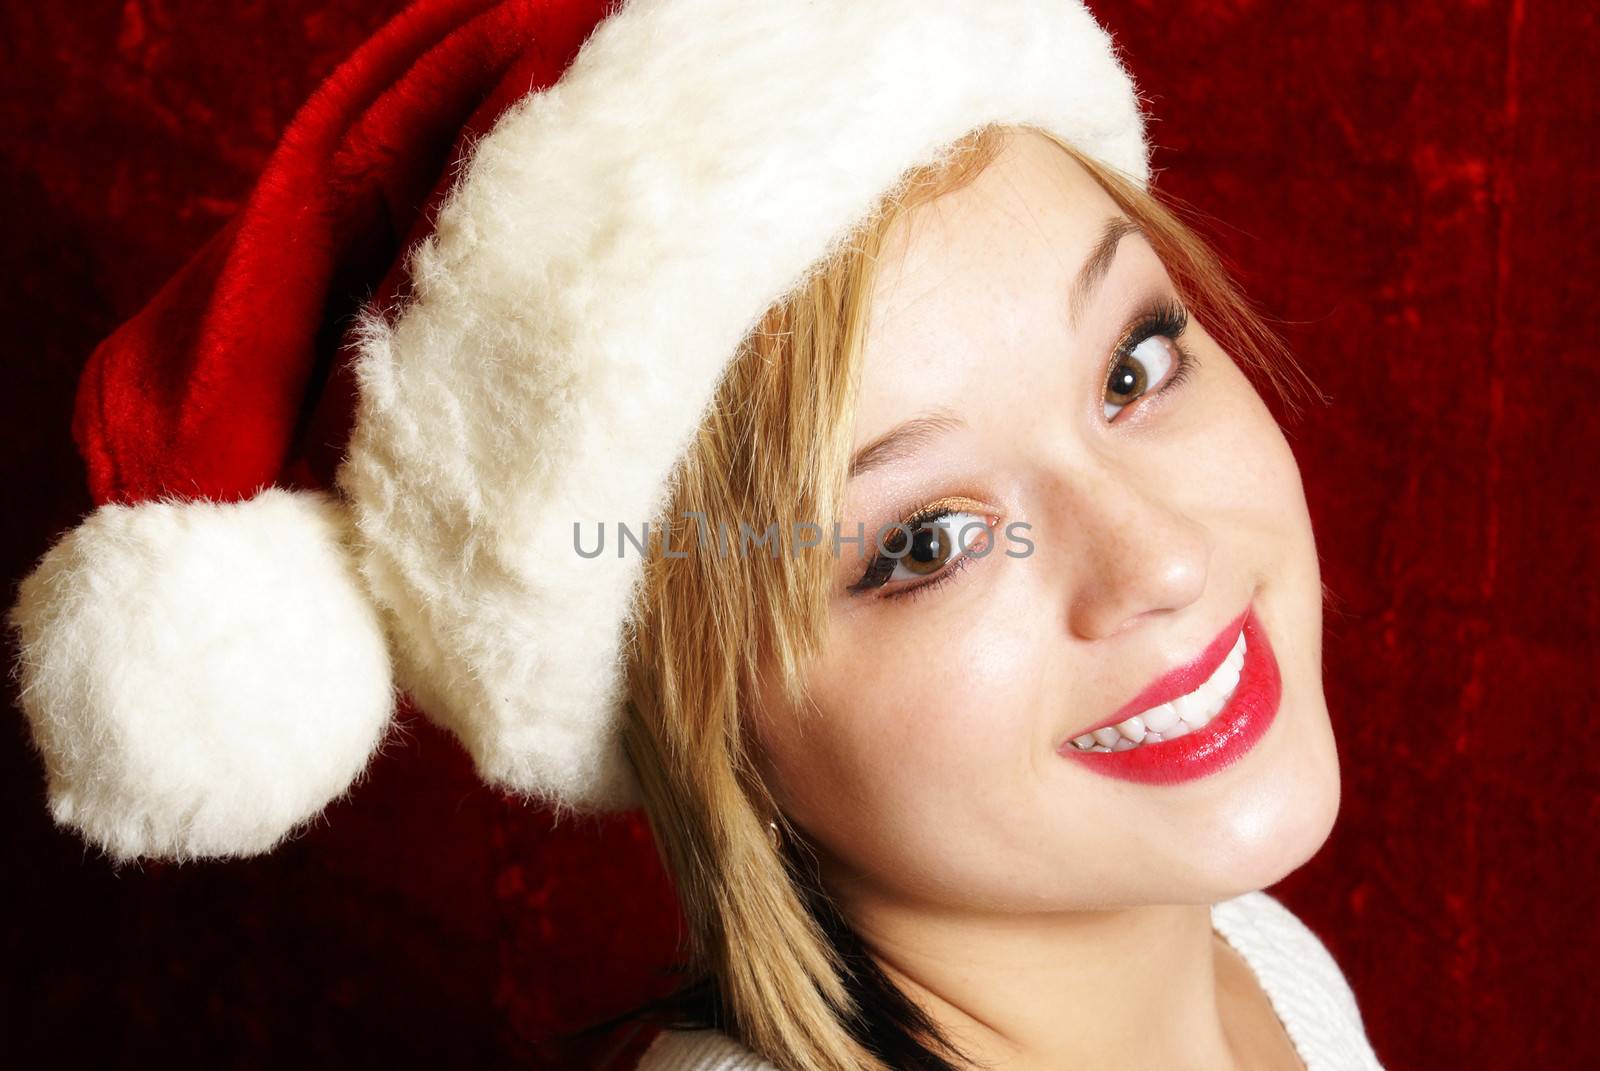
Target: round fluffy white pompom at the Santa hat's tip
{"x": 201, "y": 676}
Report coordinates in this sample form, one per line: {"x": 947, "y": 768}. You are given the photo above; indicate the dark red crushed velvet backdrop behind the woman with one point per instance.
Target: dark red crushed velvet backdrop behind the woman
{"x": 1410, "y": 187}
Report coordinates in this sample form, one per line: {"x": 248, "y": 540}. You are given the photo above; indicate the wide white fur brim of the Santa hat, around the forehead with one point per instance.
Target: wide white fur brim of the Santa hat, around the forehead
{"x": 609, "y": 246}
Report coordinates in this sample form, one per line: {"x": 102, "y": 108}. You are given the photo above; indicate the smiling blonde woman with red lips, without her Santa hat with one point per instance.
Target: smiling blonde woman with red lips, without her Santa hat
{"x": 1025, "y": 790}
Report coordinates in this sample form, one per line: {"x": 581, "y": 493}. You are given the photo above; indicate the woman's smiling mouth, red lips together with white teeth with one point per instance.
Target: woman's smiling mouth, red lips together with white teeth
{"x": 1186, "y": 753}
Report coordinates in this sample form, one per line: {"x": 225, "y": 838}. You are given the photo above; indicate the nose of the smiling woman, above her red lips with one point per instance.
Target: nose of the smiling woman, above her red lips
{"x": 1132, "y": 552}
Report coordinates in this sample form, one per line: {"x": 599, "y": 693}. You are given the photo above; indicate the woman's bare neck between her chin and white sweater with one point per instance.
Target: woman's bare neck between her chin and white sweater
{"x": 1127, "y": 989}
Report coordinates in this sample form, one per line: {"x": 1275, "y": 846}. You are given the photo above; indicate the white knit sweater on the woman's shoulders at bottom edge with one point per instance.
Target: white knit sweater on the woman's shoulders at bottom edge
{"x": 1306, "y": 989}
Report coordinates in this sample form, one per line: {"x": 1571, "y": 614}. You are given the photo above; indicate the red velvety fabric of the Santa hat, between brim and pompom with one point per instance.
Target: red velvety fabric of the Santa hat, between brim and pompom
{"x": 230, "y": 379}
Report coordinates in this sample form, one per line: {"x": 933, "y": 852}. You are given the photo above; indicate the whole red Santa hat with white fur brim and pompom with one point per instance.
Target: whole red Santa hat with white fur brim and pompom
{"x": 482, "y": 292}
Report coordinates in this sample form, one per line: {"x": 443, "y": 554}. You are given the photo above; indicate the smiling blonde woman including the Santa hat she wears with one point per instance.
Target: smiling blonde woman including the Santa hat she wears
{"x": 970, "y": 676}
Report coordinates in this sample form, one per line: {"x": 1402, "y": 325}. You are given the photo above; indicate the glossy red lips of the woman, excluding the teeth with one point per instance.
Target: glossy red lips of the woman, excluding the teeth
{"x": 1222, "y": 742}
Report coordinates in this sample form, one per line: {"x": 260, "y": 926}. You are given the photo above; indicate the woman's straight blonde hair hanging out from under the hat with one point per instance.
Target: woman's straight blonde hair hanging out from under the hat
{"x": 775, "y": 447}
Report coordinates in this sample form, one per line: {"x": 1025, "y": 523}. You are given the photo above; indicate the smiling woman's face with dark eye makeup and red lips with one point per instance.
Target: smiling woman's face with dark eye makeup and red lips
{"x": 1166, "y": 516}
